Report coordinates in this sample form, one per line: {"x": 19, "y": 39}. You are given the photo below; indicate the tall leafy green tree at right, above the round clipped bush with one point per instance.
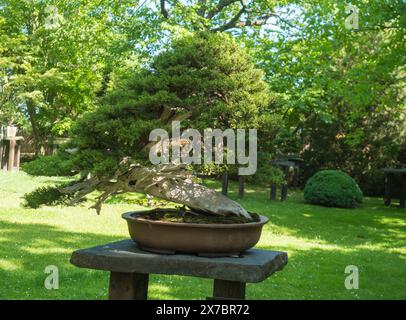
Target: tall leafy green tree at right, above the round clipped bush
{"x": 343, "y": 89}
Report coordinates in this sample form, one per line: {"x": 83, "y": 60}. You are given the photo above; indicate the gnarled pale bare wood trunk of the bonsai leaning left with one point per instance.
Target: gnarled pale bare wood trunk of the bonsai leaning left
{"x": 169, "y": 182}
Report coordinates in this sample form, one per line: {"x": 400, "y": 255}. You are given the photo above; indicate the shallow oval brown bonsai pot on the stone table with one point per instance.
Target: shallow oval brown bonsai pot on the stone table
{"x": 209, "y": 239}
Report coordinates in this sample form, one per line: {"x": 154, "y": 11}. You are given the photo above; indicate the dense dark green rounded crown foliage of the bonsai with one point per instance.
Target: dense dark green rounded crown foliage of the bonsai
{"x": 205, "y": 78}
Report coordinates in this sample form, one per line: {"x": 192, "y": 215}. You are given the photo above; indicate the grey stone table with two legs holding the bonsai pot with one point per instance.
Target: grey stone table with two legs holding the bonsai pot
{"x": 129, "y": 268}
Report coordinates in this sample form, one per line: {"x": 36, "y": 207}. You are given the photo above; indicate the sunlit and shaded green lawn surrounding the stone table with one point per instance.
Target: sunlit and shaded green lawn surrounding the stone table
{"x": 320, "y": 242}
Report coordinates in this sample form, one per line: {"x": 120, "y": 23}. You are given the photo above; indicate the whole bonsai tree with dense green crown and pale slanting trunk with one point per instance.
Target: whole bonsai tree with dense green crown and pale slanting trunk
{"x": 204, "y": 80}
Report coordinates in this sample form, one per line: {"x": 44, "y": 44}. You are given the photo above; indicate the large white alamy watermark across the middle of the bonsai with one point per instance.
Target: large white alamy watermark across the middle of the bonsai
{"x": 187, "y": 147}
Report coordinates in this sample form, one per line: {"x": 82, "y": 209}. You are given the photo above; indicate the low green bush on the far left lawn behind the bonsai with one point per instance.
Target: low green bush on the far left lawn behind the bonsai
{"x": 50, "y": 166}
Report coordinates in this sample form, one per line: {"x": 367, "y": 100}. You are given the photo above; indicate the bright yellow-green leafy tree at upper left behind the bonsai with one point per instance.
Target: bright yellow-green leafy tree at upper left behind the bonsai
{"x": 57, "y": 56}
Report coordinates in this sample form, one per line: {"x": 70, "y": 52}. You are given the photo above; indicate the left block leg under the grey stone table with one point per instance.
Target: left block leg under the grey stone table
{"x": 128, "y": 286}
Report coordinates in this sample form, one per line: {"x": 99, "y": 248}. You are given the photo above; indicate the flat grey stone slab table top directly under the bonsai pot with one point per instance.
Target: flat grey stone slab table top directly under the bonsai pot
{"x": 255, "y": 265}
